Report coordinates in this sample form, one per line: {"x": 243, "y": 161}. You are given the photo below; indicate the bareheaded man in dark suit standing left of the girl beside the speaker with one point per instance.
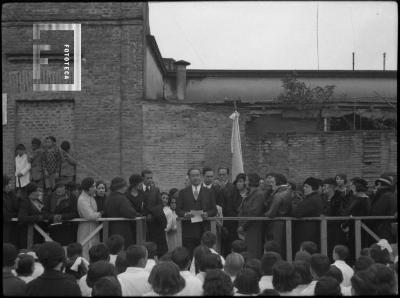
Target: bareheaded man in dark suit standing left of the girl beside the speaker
{"x": 153, "y": 210}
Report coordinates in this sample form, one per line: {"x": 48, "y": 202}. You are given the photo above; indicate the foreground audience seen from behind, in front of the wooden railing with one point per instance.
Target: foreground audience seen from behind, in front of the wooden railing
{"x": 116, "y": 270}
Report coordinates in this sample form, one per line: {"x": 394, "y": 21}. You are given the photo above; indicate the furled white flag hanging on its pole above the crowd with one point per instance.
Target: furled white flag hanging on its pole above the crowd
{"x": 236, "y": 147}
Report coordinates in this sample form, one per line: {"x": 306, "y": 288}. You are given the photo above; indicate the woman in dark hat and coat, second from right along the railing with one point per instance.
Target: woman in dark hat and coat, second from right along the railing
{"x": 360, "y": 205}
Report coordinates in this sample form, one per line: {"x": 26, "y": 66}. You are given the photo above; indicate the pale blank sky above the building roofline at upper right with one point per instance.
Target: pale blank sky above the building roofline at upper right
{"x": 277, "y": 35}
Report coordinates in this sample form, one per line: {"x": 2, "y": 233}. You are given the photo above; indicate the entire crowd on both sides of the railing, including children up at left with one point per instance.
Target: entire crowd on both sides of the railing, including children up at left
{"x": 47, "y": 193}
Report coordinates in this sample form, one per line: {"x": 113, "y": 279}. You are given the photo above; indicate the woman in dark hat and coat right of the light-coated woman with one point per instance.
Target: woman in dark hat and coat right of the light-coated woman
{"x": 117, "y": 205}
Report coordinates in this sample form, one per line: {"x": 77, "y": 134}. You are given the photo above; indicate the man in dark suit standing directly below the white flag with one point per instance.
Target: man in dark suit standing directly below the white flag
{"x": 230, "y": 205}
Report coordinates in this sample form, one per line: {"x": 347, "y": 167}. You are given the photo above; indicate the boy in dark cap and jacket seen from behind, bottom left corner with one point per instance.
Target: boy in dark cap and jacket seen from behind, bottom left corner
{"x": 53, "y": 282}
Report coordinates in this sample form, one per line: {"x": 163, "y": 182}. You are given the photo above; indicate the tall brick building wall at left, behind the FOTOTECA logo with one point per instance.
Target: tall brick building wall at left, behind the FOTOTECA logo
{"x": 106, "y": 132}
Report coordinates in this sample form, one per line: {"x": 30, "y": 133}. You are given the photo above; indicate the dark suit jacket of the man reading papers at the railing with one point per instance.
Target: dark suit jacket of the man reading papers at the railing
{"x": 186, "y": 203}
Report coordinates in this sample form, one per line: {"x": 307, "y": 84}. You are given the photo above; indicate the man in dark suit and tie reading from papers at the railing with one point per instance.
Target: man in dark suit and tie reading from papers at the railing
{"x": 195, "y": 197}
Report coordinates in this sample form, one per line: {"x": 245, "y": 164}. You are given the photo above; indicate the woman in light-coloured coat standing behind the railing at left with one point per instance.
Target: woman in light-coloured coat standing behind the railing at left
{"x": 87, "y": 209}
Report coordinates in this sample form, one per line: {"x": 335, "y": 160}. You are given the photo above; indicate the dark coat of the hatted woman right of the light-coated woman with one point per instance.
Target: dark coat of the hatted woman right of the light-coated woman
{"x": 117, "y": 205}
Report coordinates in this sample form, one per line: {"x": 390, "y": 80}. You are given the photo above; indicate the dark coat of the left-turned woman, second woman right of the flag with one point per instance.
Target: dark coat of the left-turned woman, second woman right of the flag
{"x": 253, "y": 206}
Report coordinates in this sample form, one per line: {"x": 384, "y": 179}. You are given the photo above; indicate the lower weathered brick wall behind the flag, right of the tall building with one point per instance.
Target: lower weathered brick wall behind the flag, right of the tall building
{"x": 178, "y": 136}
